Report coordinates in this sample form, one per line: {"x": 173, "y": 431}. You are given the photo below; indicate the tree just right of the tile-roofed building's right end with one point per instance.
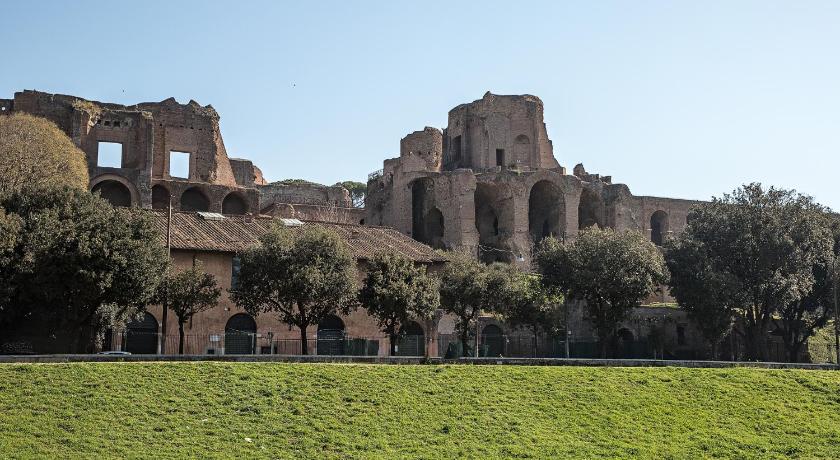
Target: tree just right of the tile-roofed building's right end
{"x": 468, "y": 287}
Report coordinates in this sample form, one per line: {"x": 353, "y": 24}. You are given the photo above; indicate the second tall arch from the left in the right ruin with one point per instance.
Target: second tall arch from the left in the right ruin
{"x": 494, "y": 222}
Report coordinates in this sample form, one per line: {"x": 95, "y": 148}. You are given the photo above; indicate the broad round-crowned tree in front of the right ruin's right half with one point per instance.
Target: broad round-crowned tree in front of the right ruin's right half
{"x": 611, "y": 271}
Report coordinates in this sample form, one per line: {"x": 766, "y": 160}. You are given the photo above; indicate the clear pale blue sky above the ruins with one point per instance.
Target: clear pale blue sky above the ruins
{"x": 673, "y": 98}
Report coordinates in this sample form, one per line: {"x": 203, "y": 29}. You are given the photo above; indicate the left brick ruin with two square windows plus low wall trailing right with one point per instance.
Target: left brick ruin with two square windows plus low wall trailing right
{"x": 165, "y": 152}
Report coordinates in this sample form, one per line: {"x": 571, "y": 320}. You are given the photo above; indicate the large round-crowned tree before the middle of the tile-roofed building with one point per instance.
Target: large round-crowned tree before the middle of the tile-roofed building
{"x": 303, "y": 274}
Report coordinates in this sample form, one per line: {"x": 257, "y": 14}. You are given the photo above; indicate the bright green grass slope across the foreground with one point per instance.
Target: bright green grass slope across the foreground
{"x": 167, "y": 410}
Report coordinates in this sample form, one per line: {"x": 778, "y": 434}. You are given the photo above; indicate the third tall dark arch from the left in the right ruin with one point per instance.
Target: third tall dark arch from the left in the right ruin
{"x": 546, "y": 211}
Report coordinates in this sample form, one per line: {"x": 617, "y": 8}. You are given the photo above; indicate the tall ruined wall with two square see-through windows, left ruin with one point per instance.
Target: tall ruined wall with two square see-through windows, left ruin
{"x": 147, "y": 133}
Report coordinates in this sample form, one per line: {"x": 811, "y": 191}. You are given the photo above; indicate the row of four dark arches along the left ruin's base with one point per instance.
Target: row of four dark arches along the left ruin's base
{"x": 192, "y": 199}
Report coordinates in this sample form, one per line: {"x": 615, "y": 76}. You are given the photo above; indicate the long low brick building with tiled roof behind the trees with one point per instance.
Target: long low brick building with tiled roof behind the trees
{"x": 215, "y": 239}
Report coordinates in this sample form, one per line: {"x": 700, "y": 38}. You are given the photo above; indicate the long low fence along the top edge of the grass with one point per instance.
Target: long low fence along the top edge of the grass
{"x": 447, "y": 346}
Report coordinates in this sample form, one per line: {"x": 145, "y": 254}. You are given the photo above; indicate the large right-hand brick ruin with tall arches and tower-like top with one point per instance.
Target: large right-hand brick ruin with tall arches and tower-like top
{"x": 490, "y": 183}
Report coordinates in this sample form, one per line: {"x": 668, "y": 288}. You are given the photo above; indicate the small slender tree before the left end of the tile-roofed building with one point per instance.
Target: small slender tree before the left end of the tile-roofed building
{"x": 187, "y": 293}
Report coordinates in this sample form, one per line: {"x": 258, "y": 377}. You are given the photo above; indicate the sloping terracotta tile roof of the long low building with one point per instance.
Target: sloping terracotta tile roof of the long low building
{"x": 235, "y": 233}
